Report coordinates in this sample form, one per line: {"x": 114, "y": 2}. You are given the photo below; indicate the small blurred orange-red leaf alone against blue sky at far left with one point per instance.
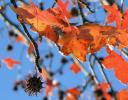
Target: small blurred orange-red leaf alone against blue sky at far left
{"x": 10, "y": 62}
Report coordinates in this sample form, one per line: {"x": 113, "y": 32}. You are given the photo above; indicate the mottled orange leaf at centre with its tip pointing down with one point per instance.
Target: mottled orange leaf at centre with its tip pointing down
{"x": 71, "y": 44}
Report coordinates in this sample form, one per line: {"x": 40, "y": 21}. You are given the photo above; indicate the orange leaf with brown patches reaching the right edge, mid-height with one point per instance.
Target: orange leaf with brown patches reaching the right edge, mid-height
{"x": 98, "y": 36}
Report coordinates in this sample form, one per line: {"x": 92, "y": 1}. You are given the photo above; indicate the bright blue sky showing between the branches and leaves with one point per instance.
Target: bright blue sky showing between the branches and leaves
{"x": 69, "y": 79}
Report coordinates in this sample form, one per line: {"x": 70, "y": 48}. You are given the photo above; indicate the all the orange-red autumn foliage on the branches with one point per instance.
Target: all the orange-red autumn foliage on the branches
{"x": 80, "y": 41}
